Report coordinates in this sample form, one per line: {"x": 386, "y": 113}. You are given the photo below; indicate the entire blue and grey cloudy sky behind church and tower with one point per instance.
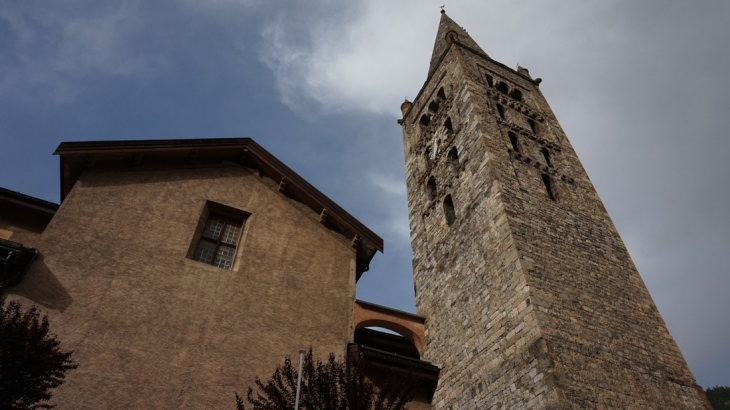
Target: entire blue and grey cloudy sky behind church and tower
{"x": 641, "y": 89}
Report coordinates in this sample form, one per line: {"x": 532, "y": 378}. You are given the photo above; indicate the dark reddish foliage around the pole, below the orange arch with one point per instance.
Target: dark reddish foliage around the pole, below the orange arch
{"x": 329, "y": 385}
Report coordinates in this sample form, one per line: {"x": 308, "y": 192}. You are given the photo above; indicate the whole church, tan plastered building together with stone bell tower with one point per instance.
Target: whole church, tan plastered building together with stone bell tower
{"x": 179, "y": 270}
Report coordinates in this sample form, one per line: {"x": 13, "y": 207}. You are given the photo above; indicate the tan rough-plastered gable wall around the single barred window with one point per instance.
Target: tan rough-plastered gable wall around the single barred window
{"x": 151, "y": 328}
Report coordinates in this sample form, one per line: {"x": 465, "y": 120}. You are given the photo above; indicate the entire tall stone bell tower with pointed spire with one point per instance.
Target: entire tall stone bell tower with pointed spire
{"x": 530, "y": 297}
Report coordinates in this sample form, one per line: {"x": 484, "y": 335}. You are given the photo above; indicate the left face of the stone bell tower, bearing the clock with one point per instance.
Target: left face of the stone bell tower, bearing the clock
{"x": 469, "y": 284}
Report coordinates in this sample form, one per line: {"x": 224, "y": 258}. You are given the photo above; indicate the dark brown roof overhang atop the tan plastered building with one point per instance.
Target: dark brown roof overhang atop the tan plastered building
{"x": 164, "y": 154}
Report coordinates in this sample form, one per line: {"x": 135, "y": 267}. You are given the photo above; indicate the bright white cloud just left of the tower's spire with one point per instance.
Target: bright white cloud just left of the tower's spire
{"x": 364, "y": 61}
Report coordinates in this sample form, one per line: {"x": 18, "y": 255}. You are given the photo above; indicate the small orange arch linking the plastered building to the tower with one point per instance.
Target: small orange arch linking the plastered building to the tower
{"x": 408, "y": 325}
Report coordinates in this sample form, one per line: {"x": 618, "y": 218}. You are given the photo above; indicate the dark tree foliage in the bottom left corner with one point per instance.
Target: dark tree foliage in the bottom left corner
{"x": 31, "y": 360}
